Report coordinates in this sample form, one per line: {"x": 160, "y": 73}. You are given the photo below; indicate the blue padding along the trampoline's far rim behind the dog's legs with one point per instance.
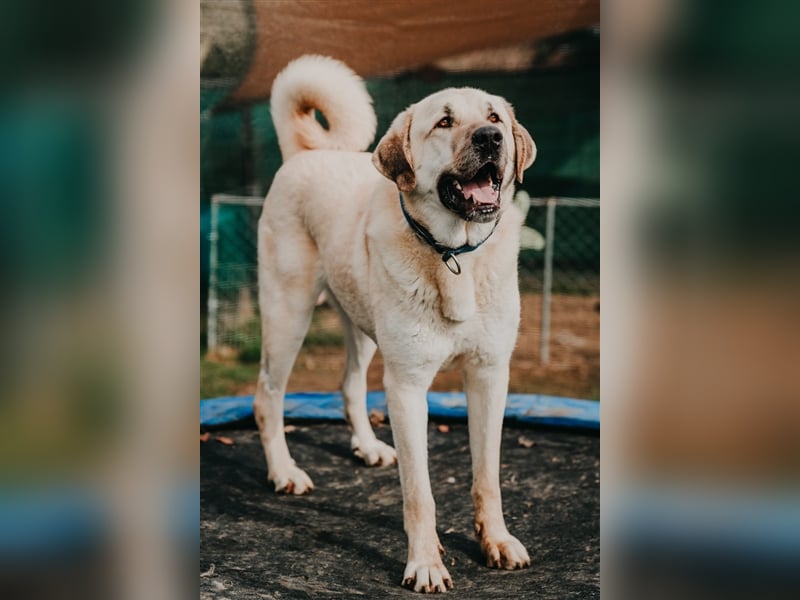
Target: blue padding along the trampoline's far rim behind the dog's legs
{"x": 527, "y": 408}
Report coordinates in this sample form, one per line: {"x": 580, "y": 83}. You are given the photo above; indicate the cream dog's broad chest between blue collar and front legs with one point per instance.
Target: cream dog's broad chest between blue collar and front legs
{"x": 425, "y": 313}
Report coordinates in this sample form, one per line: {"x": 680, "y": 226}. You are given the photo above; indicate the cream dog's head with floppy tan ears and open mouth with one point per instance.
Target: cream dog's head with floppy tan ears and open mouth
{"x": 462, "y": 145}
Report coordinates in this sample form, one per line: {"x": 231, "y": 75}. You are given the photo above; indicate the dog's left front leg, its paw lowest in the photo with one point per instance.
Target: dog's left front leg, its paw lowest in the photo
{"x": 408, "y": 411}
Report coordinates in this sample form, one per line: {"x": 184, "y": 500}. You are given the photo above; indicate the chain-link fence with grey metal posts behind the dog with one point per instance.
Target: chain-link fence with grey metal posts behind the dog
{"x": 559, "y": 278}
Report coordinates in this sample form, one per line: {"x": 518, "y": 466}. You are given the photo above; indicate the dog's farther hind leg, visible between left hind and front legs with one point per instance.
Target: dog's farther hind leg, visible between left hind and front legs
{"x": 360, "y": 350}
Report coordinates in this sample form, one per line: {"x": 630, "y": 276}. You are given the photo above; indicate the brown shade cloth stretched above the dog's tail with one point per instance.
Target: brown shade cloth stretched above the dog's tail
{"x": 384, "y": 37}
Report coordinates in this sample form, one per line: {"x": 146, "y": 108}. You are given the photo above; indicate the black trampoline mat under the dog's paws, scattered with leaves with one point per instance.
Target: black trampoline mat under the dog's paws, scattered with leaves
{"x": 346, "y": 538}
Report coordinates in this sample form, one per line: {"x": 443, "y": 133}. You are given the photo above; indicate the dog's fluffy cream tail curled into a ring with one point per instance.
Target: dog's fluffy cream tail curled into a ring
{"x": 327, "y": 85}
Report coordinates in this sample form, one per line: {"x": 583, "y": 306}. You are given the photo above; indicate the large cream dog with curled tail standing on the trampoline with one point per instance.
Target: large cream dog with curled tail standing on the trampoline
{"x": 416, "y": 244}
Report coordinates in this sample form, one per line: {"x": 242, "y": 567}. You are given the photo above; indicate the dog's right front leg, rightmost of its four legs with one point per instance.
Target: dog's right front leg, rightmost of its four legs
{"x": 486, "y": 388}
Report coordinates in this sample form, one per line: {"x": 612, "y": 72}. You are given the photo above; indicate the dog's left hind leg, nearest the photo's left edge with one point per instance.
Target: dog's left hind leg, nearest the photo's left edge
{"x": 289, "y": 284}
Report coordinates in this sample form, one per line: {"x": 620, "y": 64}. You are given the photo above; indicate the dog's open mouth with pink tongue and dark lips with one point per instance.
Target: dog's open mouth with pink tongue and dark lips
{"x": 474, "y": 199}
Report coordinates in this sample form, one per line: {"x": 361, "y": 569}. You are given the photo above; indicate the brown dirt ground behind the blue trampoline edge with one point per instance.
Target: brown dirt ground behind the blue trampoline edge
{"x": 573, "y": 370}
